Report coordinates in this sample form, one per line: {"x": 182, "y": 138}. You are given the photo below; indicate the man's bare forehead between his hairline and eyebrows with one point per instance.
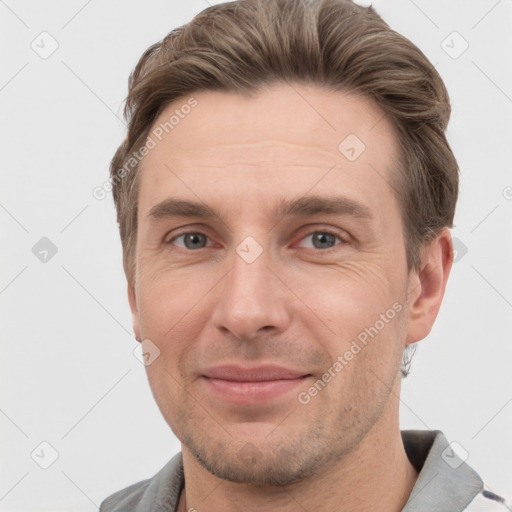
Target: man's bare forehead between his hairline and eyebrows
{"x": 280, "y": 142}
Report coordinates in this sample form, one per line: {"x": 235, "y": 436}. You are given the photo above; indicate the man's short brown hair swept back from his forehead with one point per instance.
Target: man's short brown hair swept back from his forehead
{"x": 244, "y": 45}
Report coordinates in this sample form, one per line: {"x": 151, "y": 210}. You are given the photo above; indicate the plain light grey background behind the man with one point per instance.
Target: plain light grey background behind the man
{"x": 69, "y": 375}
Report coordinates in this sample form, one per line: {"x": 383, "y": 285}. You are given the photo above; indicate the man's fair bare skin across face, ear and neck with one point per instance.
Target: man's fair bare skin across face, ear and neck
{"x": 299, "y": 304}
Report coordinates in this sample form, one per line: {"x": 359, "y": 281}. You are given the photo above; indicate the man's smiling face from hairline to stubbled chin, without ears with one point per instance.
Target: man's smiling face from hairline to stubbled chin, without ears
{"x": 271, "y": 274}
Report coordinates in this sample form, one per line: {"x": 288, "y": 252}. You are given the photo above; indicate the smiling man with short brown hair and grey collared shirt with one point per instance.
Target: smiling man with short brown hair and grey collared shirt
{"x": 284, "y": 195}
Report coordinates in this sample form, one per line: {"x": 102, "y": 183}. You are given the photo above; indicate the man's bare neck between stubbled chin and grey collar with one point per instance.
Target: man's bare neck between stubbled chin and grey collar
{"x": 375, "y": 475}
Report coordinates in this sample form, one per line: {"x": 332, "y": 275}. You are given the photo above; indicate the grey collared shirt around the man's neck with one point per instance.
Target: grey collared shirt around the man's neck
{"x": 445, "y": 482}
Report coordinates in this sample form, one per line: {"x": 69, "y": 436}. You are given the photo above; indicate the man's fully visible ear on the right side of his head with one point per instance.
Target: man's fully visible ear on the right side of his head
{"x": 427, "y": 285}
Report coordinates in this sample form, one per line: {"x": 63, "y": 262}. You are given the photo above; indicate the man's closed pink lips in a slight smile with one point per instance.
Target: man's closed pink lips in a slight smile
{"x": 244, "y": 386}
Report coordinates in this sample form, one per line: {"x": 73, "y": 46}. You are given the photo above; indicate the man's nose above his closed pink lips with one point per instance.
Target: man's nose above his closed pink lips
{"x": 252, "y": 299}
